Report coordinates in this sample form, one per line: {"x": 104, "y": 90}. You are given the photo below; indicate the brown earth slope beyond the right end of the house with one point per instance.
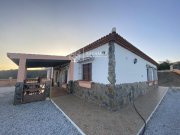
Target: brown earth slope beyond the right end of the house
{"x": 169, "y": 79}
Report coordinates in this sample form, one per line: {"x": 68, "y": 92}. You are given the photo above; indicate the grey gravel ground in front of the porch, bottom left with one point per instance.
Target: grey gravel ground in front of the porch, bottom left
{"x": 41, "y": 118}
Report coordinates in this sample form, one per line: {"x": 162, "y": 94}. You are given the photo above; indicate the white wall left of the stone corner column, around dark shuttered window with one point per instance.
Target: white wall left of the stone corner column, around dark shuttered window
{"x": 99, "y": 65}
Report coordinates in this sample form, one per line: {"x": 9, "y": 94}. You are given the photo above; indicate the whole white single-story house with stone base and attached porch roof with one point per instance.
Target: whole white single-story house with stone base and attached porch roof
{"x": 107, "y": 71}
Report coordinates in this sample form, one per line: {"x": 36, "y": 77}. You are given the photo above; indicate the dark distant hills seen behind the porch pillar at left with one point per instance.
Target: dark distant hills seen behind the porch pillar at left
{"x": 5, "y": 74}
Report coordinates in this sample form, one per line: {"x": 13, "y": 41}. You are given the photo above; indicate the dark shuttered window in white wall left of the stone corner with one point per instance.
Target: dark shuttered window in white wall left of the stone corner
{"x": 87, "y": 72}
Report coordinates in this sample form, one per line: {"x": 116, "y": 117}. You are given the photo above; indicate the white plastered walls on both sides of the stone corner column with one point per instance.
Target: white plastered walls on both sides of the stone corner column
{"x": 126, "y": 70}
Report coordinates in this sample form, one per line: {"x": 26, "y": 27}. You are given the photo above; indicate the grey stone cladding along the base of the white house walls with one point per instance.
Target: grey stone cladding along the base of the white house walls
{"x": 109, "y": 96}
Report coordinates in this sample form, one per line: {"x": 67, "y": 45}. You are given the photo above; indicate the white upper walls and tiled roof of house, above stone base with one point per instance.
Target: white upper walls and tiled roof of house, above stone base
{"x": 91, "y": 63}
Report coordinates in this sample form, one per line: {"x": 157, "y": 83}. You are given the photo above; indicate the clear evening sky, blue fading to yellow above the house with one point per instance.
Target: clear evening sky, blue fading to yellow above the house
{"x": 59, "y": 27}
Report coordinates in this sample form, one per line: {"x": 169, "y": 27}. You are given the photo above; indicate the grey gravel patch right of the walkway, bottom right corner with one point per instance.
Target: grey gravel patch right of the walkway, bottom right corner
{"x": 166, "y": 119}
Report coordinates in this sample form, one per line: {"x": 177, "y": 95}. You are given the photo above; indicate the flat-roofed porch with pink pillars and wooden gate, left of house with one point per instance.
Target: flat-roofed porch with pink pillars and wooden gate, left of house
{"x": 25, "y": 61}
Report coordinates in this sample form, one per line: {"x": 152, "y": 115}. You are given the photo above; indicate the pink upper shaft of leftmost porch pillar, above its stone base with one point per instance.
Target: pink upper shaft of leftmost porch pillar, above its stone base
{"x": 22, "y": 70}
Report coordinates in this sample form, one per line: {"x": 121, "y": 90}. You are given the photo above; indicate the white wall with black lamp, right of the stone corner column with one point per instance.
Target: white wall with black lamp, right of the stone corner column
{"x": 126, "y": 70}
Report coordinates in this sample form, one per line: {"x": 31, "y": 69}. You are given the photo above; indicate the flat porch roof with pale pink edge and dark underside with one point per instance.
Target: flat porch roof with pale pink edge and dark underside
{"x": 37, "y": 60}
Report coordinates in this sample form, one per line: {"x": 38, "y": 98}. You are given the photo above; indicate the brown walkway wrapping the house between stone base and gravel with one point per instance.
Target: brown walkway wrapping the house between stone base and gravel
{"x": 95, "y": 120}
